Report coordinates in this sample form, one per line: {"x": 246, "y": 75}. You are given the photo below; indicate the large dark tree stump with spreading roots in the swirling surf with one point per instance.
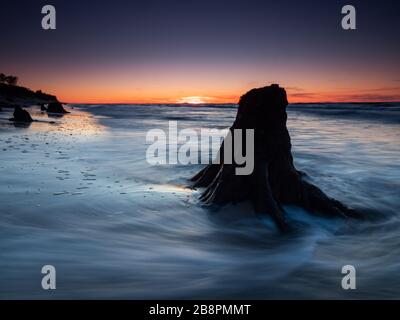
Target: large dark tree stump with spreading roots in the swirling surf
{"x": 275, "y": 180}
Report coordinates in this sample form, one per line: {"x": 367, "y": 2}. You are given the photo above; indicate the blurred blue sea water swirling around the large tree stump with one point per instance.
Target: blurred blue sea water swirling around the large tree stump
{"x": 77, "y": 193}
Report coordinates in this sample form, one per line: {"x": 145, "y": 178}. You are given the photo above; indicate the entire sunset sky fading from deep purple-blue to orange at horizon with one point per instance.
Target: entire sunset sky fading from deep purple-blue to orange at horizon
{"x": 203, "y": 51}
